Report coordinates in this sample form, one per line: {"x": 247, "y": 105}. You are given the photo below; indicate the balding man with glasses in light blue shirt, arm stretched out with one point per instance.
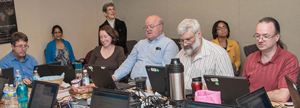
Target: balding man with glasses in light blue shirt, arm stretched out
{"x": 156, "y": 49}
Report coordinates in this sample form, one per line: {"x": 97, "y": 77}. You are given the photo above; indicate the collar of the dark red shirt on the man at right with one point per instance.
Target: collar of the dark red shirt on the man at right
{"x": 274, "y": 58}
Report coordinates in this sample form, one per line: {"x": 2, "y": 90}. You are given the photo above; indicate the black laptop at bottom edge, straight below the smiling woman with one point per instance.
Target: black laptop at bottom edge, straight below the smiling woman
{"x": 107, "y": 98}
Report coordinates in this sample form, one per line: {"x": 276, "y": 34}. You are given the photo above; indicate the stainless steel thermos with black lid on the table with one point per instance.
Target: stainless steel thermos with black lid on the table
{"x": 176, "y": 78}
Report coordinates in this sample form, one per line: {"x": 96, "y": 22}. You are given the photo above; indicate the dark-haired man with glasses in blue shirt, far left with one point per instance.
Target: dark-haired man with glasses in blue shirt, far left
{"x": 18, "y": 59}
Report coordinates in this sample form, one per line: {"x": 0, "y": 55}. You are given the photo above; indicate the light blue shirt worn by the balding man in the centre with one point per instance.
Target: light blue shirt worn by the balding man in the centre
{"x": 159, "y": 52}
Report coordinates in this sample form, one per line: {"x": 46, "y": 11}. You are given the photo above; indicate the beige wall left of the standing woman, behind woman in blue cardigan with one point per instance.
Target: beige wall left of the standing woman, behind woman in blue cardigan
{"x": 79, "y": 19}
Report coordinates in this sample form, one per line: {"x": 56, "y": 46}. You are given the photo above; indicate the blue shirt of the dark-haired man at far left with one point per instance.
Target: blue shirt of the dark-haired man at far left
{"x": 25, "y": 67}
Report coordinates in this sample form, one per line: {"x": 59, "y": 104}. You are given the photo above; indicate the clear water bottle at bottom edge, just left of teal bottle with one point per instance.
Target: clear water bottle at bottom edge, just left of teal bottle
{"x": 12, "y": 96}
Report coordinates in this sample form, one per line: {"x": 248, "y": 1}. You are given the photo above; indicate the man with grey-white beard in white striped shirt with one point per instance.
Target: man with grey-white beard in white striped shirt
{"x": 200, "y": 56}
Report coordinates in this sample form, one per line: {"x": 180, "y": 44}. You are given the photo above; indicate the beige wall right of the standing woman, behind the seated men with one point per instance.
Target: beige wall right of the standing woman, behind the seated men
{"x": 241, "y": 15}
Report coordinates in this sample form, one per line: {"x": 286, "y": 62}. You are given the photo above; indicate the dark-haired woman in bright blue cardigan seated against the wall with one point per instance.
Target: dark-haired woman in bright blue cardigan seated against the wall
{"x": 59, "y": 49}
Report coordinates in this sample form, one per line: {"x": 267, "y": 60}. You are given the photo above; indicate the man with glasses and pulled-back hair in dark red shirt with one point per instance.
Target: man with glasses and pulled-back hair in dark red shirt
{"x": 267, "y": 67}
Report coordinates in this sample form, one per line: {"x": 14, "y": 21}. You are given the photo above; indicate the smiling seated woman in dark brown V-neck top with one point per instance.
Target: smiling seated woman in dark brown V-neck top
{"x": 108, "y": 54}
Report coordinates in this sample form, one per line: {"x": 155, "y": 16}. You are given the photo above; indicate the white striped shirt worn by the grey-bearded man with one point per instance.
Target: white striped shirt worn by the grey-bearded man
{"x": 212, "y": 60}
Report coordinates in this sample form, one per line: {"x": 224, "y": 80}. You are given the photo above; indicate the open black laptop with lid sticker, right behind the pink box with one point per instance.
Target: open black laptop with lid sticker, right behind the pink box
{"x": 230, "y": 87}
